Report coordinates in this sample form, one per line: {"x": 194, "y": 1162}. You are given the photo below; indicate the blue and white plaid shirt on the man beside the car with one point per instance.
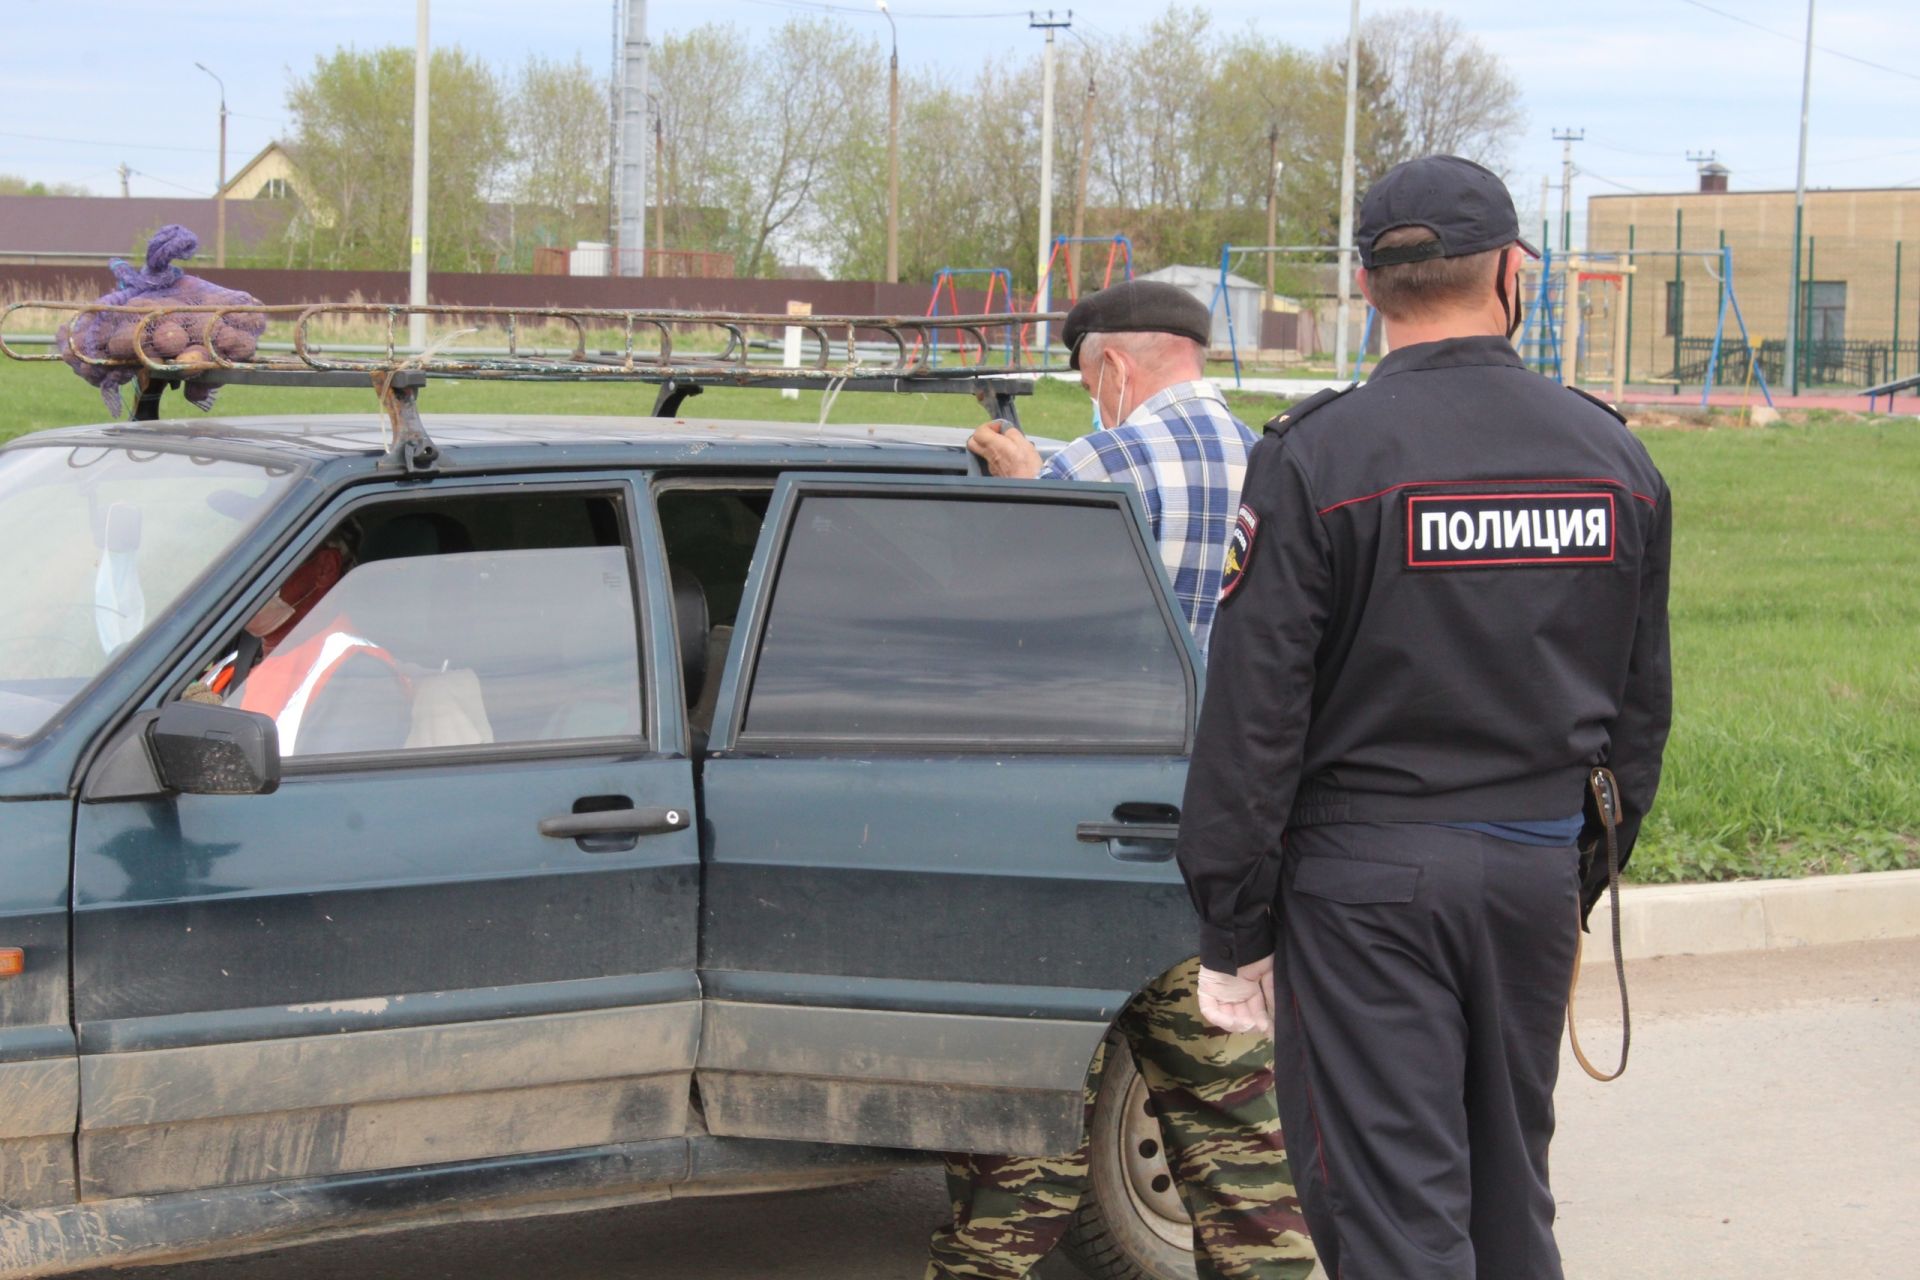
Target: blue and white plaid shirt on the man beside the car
{"x": 1188, "y": 458}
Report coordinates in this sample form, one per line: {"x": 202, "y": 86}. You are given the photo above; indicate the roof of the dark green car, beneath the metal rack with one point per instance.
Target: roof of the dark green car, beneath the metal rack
{"x": 533, "y": 440}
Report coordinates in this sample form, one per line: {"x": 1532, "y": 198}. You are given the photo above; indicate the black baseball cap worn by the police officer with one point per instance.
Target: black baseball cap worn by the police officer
{"x": 1464, "y": 204}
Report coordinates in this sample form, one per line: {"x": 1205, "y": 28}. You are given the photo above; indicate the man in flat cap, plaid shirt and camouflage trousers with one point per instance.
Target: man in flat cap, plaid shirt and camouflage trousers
{"x": 1141, "y": 356}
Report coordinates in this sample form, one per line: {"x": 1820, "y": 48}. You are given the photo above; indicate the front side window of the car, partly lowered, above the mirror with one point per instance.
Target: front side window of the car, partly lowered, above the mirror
{"x": 429, "y": 627}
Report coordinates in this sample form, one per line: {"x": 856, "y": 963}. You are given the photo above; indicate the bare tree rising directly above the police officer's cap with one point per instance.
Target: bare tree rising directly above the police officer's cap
{"x": 1452, "y": 93}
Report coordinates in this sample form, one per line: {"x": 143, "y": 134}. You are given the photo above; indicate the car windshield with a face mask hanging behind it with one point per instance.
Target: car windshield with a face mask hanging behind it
{"x": 99, "y": 544}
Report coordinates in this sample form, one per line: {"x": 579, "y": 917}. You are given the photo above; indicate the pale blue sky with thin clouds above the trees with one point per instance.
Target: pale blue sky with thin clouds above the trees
{"x": 87, "y": 85}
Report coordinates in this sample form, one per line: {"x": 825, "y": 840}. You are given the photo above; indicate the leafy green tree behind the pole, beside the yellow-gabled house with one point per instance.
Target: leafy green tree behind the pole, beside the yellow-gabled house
{"x": 352, "y": 141}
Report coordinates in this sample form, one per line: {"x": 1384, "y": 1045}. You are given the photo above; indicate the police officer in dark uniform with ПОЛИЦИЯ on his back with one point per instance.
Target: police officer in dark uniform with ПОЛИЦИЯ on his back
{"x": 1445, "y": 605}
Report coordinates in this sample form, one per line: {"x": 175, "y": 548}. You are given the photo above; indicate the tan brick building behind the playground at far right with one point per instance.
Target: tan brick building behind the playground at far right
{"x": 1852, "y": 241}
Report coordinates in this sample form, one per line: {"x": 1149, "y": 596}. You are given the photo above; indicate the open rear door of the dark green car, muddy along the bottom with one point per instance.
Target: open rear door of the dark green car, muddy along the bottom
{"x": 940, "y": 811}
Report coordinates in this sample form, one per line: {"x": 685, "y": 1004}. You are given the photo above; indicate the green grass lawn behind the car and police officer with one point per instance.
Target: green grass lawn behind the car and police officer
{"x": 1796, "y": 605}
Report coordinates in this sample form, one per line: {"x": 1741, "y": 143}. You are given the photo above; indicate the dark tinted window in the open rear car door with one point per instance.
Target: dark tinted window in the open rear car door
{"x": 974, "y": 623}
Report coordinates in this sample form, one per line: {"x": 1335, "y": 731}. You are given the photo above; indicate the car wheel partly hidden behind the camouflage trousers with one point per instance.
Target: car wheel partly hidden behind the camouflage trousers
{"x": 1134, "y": 1223}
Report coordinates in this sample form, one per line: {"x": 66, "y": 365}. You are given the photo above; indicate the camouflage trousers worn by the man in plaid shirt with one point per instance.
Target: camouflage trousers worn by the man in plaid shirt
{"x": 1222, "y": 1135}
